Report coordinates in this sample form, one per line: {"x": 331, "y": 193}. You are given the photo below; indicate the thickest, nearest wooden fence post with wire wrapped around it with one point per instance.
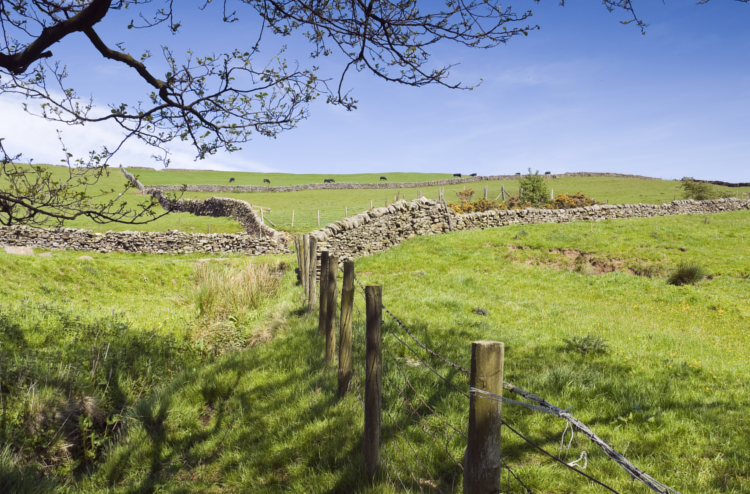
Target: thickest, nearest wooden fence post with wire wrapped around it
{"x": 482, "y": 459}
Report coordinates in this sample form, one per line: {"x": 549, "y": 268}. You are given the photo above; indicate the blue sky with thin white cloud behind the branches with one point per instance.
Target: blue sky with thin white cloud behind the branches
{"x": 584, "y": 93}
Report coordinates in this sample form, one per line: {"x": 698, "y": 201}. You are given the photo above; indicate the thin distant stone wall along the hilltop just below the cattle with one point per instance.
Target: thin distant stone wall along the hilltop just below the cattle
{"x": 382, "y": 185}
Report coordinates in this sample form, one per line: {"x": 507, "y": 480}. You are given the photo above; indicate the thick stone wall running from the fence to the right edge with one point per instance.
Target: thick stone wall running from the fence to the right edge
{"x": 382, "y": 228}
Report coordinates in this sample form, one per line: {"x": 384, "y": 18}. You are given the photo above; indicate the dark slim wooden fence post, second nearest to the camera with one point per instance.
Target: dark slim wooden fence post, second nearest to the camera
{"x": 373, "y": 378}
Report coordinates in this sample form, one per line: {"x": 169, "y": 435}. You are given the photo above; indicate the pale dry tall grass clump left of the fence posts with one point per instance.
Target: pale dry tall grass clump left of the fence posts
{"x": 228, "y": 298}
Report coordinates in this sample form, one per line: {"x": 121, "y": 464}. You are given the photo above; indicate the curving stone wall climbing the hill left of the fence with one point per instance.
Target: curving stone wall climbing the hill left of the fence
{"x": 217, "y": 207}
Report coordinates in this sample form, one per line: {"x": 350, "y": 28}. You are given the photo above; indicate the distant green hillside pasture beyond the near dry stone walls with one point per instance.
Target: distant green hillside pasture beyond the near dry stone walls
{"x": 333, "y": 205}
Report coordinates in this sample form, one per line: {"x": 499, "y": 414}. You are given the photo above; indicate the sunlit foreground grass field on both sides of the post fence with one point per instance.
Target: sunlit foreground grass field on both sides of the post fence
{"x": 669, "y": 388}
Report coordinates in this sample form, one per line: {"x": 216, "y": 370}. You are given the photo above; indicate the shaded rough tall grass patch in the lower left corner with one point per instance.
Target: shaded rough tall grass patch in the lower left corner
{"x": 66, "y": 382}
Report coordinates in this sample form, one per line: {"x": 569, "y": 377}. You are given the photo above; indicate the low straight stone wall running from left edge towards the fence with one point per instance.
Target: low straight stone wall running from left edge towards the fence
{"x": 171, "y": 242}
